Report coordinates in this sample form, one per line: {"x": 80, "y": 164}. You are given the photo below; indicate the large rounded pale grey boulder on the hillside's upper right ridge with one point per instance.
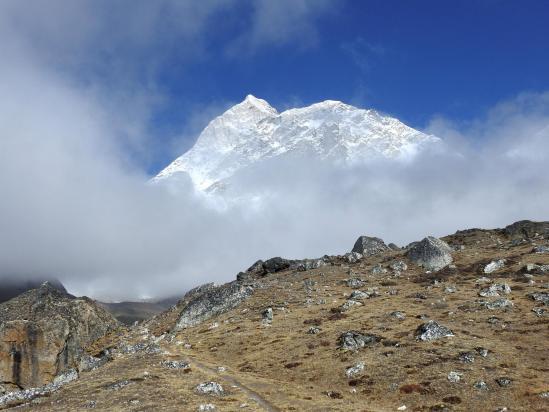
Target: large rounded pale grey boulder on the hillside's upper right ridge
{"x": 431, "y": 253}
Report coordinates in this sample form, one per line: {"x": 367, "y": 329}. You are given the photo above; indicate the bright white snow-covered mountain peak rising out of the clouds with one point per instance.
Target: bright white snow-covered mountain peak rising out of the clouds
{"x": 253, "y": 131}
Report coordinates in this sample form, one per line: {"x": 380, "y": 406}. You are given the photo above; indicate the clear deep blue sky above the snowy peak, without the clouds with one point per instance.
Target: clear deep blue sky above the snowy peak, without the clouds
{"x": 413, "y": 60}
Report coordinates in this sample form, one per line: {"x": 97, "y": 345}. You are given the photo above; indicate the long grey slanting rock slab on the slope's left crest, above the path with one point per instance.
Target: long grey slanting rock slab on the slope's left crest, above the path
{"x": 212, "y": 302}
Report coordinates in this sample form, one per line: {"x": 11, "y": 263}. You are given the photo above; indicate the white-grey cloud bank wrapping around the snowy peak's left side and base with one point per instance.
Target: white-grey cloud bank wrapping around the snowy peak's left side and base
{"x": 75, "y": 202}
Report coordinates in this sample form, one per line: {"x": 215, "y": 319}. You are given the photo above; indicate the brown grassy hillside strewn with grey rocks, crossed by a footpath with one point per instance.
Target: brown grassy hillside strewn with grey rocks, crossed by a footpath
{"x": 369, "y": 331}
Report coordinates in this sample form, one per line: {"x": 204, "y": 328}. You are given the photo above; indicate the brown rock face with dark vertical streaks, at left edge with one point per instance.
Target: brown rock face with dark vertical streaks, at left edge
{"x": 43, "y": 333}
